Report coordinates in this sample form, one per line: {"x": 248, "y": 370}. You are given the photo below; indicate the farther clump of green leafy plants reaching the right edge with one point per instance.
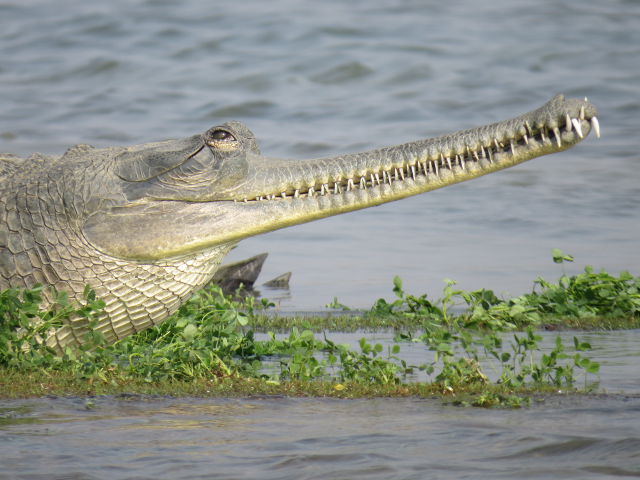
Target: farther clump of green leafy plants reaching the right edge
{"x": 581, "y": 300}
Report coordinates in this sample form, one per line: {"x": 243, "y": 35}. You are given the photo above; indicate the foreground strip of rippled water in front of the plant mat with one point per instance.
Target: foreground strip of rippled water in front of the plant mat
{"x": 284, "y": 438}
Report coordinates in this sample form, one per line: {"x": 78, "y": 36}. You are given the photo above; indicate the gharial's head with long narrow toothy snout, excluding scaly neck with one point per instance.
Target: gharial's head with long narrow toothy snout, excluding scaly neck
{"x": 183, "y": 196}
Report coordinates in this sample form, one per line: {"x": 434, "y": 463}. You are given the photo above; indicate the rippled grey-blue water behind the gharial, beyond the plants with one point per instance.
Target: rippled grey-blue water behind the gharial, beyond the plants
{"x": 321, "y": 78}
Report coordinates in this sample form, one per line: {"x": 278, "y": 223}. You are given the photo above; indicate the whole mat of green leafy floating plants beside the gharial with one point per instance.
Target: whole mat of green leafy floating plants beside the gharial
{"x": 210, "y": 346}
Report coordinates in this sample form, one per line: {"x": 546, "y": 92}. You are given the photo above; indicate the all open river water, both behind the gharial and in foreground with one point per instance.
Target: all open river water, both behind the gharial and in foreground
{"x": 321, "y": 78}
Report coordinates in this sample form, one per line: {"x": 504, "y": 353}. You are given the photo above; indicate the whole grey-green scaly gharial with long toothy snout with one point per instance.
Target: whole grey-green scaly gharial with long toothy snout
{"x": 146, "y": 225}
